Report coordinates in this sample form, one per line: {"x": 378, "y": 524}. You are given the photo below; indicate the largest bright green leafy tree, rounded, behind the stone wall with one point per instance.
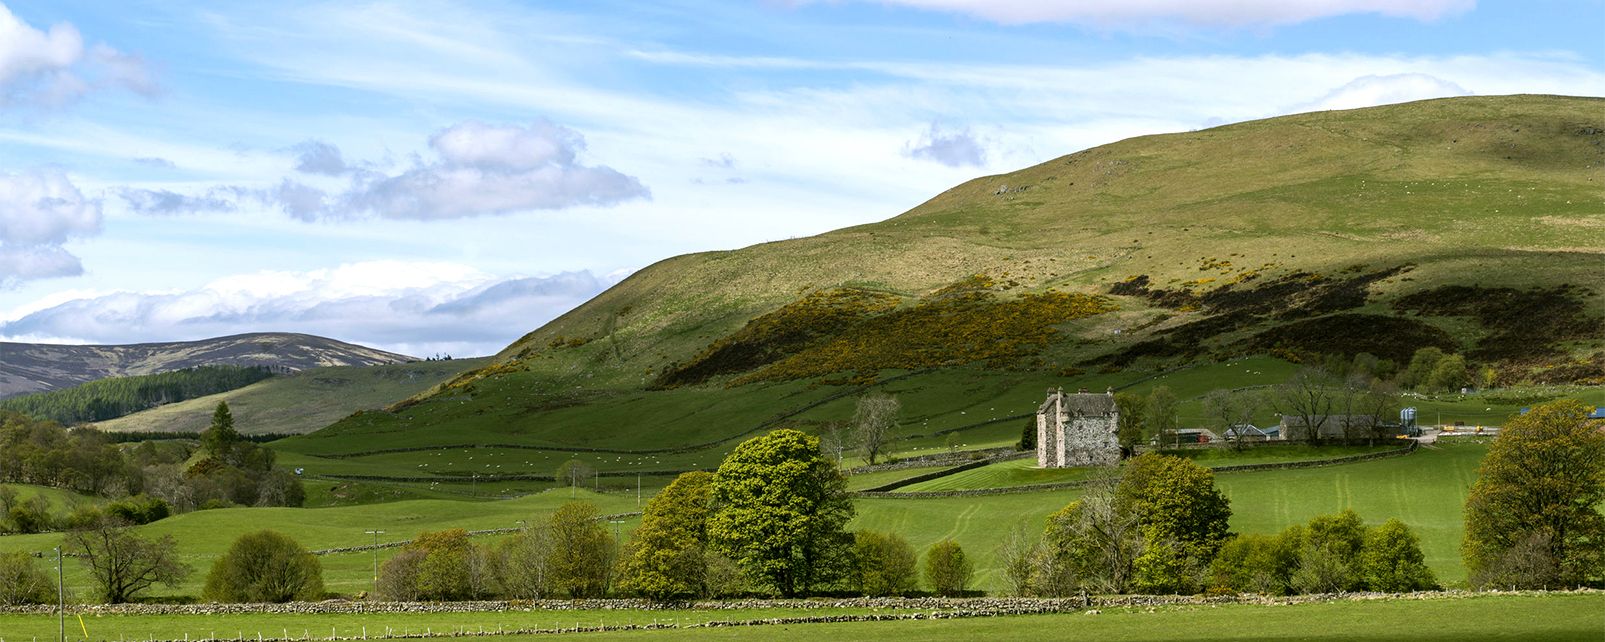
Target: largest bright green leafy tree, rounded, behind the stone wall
{"x": 782, "y": 513}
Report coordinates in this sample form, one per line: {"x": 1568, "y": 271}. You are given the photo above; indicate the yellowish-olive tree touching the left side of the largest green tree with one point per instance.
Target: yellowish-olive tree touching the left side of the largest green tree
{"x": 668, "y": 559}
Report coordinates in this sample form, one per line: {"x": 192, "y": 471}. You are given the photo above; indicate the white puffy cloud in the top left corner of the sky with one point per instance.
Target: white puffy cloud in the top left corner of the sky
{"x": 54, "y": 68}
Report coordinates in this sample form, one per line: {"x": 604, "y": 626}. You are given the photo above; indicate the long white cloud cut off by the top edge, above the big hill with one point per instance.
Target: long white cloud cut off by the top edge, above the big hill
{"x": 1214, "y": 14}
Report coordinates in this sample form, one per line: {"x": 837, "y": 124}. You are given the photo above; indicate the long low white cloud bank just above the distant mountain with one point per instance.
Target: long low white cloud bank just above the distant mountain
{"x": 410, "y": 307}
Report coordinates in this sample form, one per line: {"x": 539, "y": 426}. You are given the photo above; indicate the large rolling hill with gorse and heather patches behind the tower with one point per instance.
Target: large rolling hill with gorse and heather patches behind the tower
{"x": 1468, "y": 224}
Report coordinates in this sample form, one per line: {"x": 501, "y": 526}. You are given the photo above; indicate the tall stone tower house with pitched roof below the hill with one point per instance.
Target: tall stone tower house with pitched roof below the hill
{"x": 1078, "y": 429}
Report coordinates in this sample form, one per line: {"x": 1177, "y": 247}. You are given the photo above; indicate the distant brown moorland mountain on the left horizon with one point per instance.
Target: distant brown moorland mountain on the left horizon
{"x": 30, "y": 368}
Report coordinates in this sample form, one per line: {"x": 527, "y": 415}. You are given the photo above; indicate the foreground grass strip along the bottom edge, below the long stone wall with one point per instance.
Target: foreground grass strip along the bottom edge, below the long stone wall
{"x": 1473, "y": 617}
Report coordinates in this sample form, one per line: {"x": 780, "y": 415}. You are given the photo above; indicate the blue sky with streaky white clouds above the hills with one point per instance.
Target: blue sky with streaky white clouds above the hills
{"x": 442, "y": 177}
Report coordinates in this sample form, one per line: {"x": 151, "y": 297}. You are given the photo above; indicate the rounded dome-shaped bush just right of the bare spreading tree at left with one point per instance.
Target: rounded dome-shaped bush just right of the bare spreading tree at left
{"x": 266, "y": 567}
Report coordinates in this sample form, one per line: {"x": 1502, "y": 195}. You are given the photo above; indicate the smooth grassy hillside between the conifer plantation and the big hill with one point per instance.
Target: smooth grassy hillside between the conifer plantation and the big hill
{"x": 301, "y": 402}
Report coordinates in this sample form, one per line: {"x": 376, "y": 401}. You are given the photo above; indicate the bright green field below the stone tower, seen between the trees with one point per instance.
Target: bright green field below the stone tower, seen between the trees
{"x": 1426, "y": 490}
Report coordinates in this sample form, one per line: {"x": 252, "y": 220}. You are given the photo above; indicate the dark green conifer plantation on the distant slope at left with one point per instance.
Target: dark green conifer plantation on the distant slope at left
{"x": 112, "y": 399}
